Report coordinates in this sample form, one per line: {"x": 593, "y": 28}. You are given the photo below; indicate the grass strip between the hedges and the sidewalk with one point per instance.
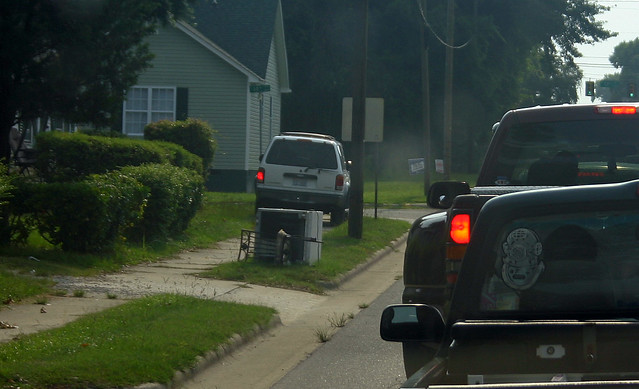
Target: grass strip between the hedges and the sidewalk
{"x": 222, "y": 216}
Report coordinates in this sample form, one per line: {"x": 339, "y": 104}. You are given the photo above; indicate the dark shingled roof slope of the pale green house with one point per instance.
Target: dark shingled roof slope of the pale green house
{"x": 242, "y": 28}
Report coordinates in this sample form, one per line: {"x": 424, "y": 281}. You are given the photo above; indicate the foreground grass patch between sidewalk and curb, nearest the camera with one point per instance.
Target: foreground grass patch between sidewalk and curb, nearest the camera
{"x": 145, "y": 340}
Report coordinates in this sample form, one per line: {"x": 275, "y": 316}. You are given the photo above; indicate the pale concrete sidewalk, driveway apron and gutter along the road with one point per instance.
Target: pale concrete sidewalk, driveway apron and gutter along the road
{"x": 300, "y": 313}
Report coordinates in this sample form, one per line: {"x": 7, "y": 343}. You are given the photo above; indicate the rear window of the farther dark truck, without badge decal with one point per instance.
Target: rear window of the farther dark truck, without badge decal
{"x": 567, "y": 153}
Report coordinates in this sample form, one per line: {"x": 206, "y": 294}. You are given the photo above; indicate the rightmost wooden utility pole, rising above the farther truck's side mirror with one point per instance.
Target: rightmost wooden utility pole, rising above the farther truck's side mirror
{"x": 448, "y": 89}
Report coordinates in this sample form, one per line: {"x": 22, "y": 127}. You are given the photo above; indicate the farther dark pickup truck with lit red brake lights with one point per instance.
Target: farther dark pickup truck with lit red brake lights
{"x": 531, "y": 148}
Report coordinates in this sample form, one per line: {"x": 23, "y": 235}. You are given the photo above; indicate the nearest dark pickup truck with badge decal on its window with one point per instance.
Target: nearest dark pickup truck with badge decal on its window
{"x": 547, "y": 296}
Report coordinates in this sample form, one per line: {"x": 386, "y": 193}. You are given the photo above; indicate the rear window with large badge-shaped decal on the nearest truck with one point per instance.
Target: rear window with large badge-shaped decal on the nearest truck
{"x": 564, "y": 263}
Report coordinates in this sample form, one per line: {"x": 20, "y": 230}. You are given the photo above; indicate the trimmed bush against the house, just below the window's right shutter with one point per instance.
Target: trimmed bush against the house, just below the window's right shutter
{"x": 194, "y": 135}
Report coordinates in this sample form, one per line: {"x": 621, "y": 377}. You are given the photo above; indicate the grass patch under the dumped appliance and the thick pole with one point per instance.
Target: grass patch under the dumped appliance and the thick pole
{"x": 340, "y": 254}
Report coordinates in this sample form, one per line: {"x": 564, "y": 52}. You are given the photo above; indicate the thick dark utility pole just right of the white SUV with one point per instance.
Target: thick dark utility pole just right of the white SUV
{"x": 356, "y": 211}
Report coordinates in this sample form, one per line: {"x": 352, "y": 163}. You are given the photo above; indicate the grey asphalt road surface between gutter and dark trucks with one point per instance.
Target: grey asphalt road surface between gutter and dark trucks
{"x": 356, "y": 357}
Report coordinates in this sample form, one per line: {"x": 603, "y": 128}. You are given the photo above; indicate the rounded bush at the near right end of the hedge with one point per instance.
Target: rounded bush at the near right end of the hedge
{"x": 176, "y": 195}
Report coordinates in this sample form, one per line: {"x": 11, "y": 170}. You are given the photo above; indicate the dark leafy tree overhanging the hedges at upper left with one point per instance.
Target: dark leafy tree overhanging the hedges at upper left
{"x": 73, "y": 59}
